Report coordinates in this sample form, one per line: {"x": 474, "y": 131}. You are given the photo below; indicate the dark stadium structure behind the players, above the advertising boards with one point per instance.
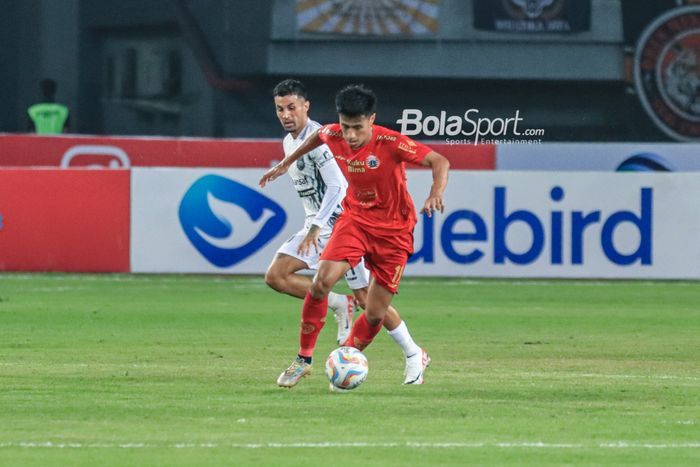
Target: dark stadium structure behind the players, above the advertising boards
{"x": 216, "y": 61}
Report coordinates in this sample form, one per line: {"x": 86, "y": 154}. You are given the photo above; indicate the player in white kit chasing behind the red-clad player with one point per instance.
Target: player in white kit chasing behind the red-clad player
{"x": 321, "y": 186}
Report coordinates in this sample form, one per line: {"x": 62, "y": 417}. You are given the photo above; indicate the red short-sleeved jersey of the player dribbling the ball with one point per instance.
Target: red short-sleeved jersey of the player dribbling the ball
{"x": 377, "y": 195}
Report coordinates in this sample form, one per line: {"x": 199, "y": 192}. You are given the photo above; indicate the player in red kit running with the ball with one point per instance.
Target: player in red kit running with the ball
{"x": 378, "y": 217}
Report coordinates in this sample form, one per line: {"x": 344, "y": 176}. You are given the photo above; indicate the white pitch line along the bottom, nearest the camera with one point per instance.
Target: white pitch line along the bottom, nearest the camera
{"x": 343, "y": 445}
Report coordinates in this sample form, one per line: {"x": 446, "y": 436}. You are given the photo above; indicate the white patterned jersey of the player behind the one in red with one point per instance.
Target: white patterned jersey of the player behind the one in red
{"x": 318, "y": 180}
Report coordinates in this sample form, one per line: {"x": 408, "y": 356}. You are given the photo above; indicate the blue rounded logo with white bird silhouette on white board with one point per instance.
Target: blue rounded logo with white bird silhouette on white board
{"x": 227, "y": 221}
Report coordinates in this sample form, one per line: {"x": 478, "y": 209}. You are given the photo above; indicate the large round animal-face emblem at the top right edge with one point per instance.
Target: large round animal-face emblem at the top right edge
{"x": 667, "y": 72}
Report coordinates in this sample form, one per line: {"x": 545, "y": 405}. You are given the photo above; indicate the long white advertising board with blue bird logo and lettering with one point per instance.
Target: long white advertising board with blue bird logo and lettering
{"x": 497, "y": 224}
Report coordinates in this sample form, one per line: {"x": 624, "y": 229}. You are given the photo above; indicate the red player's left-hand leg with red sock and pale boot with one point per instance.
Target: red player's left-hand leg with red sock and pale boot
{"x": 313, "y": 317}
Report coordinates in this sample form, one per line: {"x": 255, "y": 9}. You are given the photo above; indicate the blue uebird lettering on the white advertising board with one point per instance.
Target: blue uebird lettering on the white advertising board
{"x": 551, "y": 232}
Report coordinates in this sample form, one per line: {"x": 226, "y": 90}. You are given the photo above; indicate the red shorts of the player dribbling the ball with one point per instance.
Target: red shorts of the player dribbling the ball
{"x": 385, "y": 252}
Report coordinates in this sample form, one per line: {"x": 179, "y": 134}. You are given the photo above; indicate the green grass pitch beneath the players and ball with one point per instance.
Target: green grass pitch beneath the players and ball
{"x": 180, "y": 370}
